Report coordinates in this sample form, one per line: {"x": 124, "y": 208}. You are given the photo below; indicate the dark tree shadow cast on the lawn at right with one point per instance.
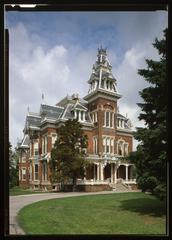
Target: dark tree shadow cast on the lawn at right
{"x": 152, "y": 207}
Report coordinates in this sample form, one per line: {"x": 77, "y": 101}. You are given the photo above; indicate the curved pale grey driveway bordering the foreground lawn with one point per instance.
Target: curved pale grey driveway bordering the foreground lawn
{"x": 18, "y": 202}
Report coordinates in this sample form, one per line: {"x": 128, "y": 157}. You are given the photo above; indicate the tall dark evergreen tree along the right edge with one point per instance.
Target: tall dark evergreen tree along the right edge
{"x": 151, "y": 156}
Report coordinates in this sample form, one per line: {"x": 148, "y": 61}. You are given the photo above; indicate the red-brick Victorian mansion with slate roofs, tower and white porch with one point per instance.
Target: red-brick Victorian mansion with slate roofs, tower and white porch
{"x": 110, "y": 135}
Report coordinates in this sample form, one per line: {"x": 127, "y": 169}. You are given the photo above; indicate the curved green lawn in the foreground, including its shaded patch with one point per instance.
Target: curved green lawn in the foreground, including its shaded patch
{"x": 118, "y": 213}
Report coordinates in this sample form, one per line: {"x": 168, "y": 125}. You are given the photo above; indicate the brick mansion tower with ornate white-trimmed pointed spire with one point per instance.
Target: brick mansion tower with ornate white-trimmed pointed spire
{"x": 102, "y": 103}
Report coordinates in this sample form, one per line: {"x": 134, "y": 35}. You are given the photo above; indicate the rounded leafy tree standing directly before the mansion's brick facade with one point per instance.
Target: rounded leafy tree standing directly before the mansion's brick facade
{"x": 68, "y": 155}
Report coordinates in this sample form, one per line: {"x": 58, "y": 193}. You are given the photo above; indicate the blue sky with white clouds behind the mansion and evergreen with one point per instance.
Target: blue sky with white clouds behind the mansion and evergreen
{"x": 52, "y": 53}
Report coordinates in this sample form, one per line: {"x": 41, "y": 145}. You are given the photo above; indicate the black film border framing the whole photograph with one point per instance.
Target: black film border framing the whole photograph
{"x": 66, "y": 5}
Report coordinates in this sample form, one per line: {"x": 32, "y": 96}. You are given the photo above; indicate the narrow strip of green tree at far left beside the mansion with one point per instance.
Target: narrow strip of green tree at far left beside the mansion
{"x": 13, "y": 167}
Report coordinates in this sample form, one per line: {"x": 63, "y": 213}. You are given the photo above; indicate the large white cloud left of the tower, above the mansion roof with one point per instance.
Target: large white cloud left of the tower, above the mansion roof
{"x": 33, "y": 71}
